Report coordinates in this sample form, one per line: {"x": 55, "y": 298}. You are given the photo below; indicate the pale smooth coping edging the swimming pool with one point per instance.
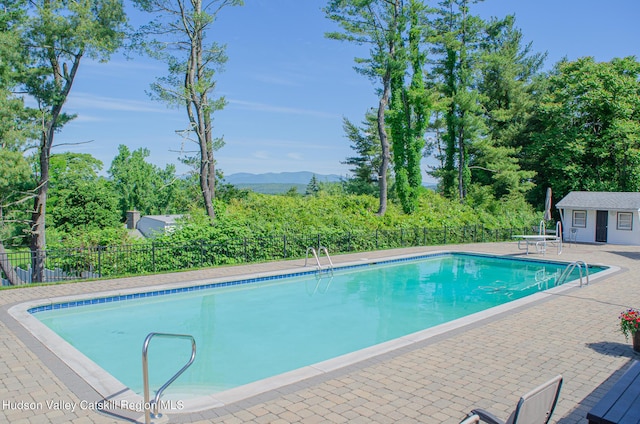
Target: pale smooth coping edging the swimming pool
{"x": 121, "y": 397}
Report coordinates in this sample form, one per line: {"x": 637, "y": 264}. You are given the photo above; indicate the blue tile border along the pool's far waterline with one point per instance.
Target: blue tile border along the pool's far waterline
{"x": 252, "y": 280}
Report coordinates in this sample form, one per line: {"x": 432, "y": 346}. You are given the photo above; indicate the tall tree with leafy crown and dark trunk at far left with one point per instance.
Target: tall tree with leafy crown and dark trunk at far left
{"x": 57, "y": 35}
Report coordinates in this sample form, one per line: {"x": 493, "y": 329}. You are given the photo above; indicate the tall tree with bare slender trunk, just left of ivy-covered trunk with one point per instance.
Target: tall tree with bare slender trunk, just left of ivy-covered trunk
{"x": 374, "y": 23}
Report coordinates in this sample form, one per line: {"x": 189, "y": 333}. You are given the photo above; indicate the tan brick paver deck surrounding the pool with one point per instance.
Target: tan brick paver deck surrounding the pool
{"x": 487, "y": 364}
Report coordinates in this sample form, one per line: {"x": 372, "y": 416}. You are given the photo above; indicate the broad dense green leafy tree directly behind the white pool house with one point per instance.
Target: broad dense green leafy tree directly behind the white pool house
{"x": 585, "y": 132}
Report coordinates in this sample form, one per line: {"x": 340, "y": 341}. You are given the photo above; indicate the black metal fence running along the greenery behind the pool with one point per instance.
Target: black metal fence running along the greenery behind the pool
{"x": 154, "y": 257}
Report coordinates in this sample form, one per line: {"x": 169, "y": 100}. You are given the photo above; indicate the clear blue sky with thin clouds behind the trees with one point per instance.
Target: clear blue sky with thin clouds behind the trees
{"x": 288, "y": 88}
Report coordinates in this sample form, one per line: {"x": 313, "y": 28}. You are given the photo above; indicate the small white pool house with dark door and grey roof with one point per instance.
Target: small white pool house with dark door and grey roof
{"x": 601, "y": 217}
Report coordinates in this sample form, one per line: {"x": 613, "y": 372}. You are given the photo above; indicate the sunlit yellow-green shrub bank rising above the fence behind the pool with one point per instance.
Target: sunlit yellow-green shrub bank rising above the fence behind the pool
{"x": 265, "y": 214}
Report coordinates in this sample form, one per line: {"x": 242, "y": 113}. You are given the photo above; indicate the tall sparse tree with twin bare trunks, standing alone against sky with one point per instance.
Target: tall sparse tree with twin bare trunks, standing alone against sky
{"x": 177, "y": 35}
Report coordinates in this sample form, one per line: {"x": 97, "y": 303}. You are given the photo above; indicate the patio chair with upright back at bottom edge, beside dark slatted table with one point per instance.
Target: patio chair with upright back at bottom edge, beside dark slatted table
{"x": 534, "y": 407}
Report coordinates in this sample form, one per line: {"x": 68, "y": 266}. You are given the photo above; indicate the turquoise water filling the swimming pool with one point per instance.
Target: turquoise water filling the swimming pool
{"x": 258, "y": 328}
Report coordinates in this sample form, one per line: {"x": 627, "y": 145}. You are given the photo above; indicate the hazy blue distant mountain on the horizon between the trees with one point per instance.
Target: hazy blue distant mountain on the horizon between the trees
{"x": 277, "y": 183}
